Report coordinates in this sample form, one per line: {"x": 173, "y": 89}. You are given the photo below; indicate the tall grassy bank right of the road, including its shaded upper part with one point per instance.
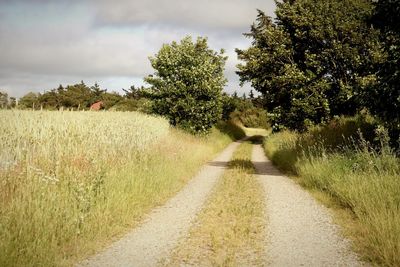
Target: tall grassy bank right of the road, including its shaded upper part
{"x": 350, "y": 175}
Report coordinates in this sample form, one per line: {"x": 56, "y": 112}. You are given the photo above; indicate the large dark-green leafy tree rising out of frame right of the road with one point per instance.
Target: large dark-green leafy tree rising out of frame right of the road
{"x": 309, "y": 62}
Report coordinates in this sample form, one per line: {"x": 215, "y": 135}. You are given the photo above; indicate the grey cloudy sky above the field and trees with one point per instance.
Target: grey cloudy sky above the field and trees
{"x": 44, "y": 43}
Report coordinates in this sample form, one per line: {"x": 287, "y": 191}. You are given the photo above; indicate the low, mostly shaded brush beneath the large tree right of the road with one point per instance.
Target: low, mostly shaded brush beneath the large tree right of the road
{"x": 286, "y": 148}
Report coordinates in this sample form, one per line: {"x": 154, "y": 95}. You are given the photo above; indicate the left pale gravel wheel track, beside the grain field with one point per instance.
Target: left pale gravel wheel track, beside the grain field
{"x": 164, "y": 226}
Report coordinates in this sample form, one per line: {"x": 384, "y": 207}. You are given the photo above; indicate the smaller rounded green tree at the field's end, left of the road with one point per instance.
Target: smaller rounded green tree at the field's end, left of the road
{"x": 187, "y": 84}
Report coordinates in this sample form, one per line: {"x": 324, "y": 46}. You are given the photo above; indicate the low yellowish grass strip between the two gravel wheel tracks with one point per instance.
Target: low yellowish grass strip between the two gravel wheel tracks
{"x": 230, "y": 229}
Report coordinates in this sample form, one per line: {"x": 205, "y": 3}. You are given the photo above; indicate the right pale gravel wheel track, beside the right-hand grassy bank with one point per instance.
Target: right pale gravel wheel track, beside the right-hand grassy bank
{"x": 300, "y": 231}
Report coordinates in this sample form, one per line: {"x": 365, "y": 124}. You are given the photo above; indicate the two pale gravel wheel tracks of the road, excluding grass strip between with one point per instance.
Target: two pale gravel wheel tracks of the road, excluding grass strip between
{"x": 300, "y": 230}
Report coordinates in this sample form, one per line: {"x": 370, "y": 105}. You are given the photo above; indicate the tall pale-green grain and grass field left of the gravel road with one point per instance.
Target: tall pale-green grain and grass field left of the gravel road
{"x": 70, "y": 181}
